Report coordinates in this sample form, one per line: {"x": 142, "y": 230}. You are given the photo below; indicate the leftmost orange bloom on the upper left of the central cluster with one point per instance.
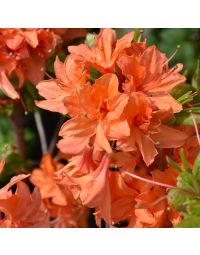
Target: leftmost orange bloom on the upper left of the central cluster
{"x": 61, "y": 93}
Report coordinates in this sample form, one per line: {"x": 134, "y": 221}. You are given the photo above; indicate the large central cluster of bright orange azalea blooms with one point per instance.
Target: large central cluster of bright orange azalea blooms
{"x": 117, "y": 95}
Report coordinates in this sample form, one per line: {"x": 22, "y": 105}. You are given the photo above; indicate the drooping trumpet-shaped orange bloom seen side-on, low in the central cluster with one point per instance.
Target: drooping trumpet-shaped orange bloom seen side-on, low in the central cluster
{"x": 88, "y": 181}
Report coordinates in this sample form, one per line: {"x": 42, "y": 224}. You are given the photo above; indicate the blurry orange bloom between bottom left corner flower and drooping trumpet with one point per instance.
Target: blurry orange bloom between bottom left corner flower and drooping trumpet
{"x": 63, "y": 210}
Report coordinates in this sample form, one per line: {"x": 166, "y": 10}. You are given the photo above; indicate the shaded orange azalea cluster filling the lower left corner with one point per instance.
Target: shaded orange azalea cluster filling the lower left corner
{"x": 49, "y": 205}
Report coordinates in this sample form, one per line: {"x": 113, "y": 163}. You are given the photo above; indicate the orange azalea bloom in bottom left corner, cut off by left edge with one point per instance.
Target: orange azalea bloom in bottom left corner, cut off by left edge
{"x": 21, "y": 209}
